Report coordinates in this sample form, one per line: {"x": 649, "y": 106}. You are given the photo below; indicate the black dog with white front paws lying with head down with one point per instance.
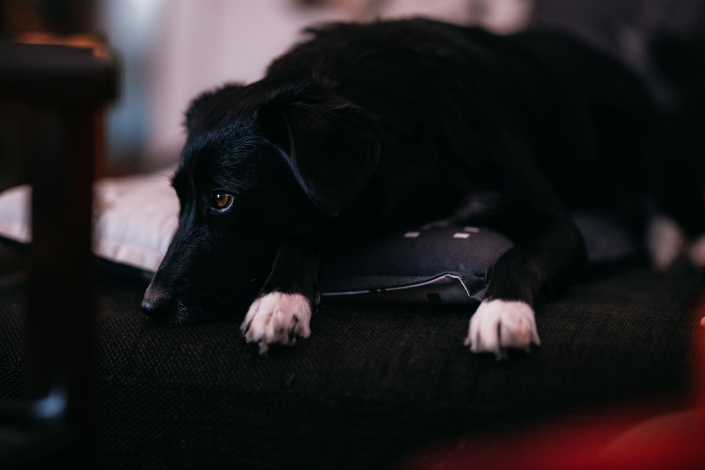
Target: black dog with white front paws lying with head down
{"x": 366, "y": 128}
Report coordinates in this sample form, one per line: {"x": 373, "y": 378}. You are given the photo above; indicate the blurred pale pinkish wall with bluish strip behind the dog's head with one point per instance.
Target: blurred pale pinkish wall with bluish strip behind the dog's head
{"x": 192, "y": 47}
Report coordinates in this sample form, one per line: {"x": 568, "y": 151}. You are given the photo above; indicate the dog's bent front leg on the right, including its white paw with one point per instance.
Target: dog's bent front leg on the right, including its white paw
{"x": 548, "y": 249}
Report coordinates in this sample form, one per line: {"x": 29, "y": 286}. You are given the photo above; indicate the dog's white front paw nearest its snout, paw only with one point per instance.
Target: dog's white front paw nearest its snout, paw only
{"x": 277, "y": 318}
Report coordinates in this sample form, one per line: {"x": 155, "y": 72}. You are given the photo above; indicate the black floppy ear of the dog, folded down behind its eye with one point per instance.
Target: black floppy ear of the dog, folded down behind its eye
{"x": 332, "y": 144}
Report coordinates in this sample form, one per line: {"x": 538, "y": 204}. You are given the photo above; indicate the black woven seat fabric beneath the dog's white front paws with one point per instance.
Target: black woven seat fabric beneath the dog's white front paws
{"x": 370, "y": 383}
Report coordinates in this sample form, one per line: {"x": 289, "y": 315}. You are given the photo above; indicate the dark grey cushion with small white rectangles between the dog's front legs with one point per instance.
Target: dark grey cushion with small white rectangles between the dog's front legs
{"x": 398, "y": 266}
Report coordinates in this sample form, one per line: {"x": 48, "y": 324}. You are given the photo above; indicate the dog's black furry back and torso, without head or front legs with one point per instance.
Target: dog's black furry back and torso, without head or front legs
{"x": 446, "y": 95}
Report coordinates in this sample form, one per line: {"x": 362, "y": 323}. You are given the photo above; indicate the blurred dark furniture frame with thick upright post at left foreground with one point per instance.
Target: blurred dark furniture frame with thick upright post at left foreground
{"x": 66, "y": 87}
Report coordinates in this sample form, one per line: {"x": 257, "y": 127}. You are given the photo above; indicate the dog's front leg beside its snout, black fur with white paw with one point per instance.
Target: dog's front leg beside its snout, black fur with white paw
{"x": 282, "y": 311}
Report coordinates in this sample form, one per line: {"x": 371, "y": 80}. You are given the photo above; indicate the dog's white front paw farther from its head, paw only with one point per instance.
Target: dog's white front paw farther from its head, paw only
{"x": 500, "y": 324}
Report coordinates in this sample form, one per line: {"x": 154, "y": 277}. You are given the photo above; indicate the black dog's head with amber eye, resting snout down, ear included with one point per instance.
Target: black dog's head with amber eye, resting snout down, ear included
{"x": 262, "y": 164}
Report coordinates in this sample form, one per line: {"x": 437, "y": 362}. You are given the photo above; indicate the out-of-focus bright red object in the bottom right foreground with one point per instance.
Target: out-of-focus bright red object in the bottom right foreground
{"x": 653, "y": 436}
